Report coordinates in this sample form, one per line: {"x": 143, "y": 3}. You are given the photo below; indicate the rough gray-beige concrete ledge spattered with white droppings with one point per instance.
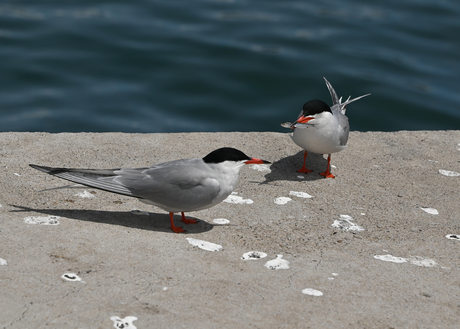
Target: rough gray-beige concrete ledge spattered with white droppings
{"x": 401, "y": 271}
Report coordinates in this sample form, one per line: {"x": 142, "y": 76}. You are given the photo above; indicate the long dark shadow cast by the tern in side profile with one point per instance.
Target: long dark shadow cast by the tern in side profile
{"x": 151, "y": 222}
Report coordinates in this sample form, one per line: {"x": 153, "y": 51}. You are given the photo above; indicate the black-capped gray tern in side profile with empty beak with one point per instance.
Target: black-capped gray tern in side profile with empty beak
{"x": 174, "y": 186}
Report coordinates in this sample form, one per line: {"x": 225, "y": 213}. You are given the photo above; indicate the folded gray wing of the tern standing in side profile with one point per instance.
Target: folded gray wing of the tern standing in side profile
{"x": 177, "y": 183}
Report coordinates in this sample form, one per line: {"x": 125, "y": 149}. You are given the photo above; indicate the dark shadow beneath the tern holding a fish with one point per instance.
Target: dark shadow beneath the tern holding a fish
{"x": 286, "y": 168}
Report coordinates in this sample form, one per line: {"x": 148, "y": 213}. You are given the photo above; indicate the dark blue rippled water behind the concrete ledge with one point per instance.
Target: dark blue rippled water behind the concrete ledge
{"x": 226, "y": 65}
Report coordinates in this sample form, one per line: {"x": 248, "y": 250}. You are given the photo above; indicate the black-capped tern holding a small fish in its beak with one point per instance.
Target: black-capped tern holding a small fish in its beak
{"x": 322, "y": 129}
